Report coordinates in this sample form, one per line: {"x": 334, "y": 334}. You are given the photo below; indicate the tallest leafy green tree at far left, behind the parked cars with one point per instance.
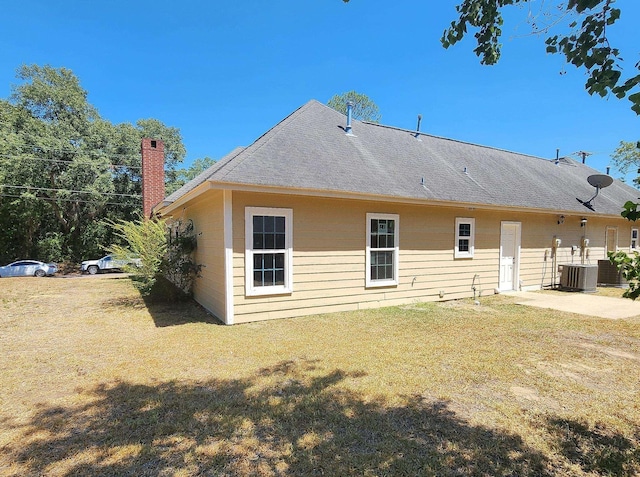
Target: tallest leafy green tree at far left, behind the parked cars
{"x": 50, "y": 182}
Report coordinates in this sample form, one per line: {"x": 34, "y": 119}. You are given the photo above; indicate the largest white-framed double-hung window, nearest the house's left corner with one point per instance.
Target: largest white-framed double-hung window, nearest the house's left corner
{"x": 268, "y": 251}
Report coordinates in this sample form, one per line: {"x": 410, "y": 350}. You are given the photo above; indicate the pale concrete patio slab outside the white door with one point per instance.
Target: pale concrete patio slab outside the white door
{"x": 581, "y": 303}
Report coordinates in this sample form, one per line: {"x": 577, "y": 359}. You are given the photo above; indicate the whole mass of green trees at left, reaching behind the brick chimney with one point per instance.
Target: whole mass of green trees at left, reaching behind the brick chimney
{"x": 63, "y": 168}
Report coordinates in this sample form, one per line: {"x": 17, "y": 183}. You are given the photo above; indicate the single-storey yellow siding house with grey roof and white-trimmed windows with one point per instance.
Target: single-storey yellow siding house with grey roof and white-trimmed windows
{"x": 325, "y": 214}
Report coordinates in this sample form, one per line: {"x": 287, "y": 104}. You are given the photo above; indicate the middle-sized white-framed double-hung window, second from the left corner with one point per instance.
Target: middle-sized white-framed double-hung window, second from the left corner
{"x": 382, "y": 250}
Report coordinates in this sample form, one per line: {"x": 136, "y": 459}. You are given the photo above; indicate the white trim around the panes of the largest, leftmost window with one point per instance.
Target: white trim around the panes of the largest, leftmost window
{"x": 250, "y": 289}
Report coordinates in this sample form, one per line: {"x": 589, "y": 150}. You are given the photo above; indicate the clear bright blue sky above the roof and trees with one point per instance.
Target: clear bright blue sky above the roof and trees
{"x": 224, "y": 72}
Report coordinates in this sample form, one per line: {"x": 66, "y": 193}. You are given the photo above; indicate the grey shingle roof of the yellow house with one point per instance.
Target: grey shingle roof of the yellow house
{"x": 309, "y": 150}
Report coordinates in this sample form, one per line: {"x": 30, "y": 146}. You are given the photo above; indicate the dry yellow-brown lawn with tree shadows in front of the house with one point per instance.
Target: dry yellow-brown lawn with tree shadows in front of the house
{"x": 94, "y": 381}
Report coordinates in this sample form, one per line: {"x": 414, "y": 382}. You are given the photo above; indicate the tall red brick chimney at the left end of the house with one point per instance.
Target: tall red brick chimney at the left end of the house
{"x": 152, "y": 175}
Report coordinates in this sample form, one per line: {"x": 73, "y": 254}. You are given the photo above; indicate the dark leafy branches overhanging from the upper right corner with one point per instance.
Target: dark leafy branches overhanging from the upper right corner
{"x": 586, "y": 46}
